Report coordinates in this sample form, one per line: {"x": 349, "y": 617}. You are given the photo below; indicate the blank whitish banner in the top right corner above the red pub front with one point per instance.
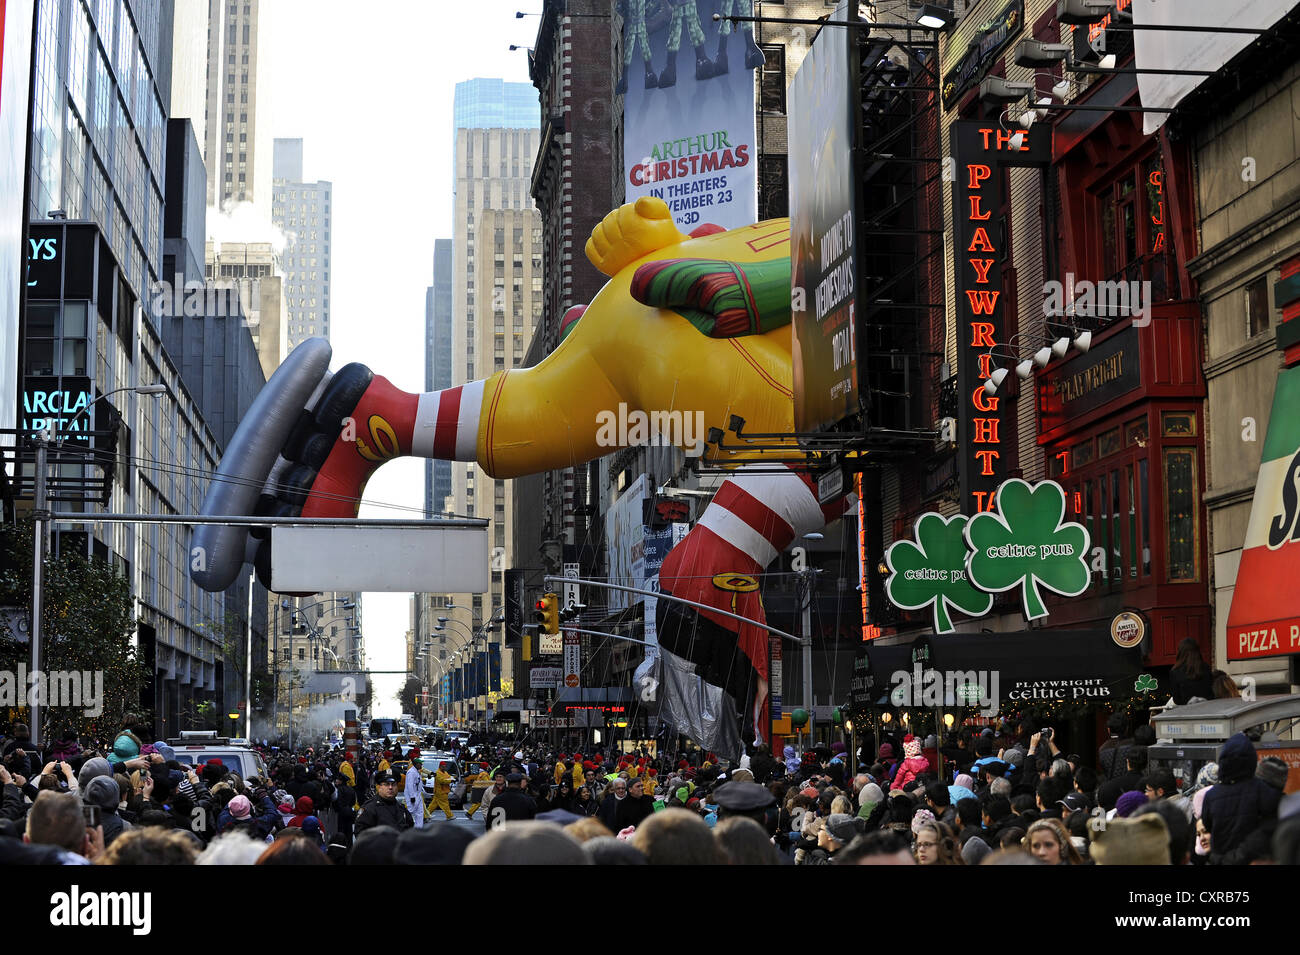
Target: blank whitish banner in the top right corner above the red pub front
{"x": 1177, "y": 50}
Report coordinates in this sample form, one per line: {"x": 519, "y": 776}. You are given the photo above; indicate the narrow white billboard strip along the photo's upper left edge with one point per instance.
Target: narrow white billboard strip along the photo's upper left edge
{"x": 16, "y": 18}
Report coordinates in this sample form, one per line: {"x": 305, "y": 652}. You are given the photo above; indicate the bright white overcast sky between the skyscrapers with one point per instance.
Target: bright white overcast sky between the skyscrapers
{"x": 369, "y": 88}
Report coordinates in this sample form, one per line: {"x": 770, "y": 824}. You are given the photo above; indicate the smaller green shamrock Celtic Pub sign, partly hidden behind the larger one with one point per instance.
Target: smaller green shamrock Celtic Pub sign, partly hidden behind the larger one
{"x": 933, "y": 571}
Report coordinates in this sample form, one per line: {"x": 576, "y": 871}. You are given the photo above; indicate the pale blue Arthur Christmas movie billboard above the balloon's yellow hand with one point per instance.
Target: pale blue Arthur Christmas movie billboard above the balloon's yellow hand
{"x": 688, "y": 110}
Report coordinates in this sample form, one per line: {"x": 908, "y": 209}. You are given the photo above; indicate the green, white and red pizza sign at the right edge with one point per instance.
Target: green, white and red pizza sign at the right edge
{"x": 1266, "y": 615}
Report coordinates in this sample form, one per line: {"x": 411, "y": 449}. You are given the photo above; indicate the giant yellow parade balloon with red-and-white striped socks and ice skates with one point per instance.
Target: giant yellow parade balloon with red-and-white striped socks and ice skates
{"x": 690, "y": 335}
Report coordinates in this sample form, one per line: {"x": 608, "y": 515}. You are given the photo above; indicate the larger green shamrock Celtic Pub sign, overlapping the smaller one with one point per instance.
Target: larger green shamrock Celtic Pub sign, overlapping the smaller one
{"x": 1025, "y": 544}
